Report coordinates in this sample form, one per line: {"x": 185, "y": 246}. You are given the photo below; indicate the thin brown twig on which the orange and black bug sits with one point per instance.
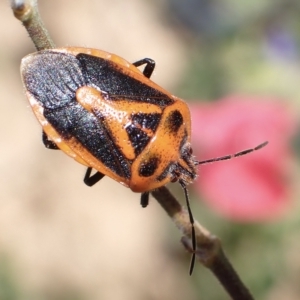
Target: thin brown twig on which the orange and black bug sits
{"x": 208, "y": 250}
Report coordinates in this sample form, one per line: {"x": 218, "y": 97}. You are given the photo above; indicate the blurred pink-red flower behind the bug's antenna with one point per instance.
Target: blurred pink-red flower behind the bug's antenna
{"x": 253, "y": 187}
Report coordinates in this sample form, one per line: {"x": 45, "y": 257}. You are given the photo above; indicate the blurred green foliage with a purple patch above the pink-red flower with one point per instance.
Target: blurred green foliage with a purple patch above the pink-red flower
{"x": 249, "y": 48}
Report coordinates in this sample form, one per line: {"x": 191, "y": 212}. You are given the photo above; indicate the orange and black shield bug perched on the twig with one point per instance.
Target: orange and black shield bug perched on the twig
{"x": 109, "y": 116}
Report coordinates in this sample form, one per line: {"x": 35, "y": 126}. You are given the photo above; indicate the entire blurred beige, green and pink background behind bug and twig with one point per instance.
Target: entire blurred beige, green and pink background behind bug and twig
{"x": 237, "y": 64}
